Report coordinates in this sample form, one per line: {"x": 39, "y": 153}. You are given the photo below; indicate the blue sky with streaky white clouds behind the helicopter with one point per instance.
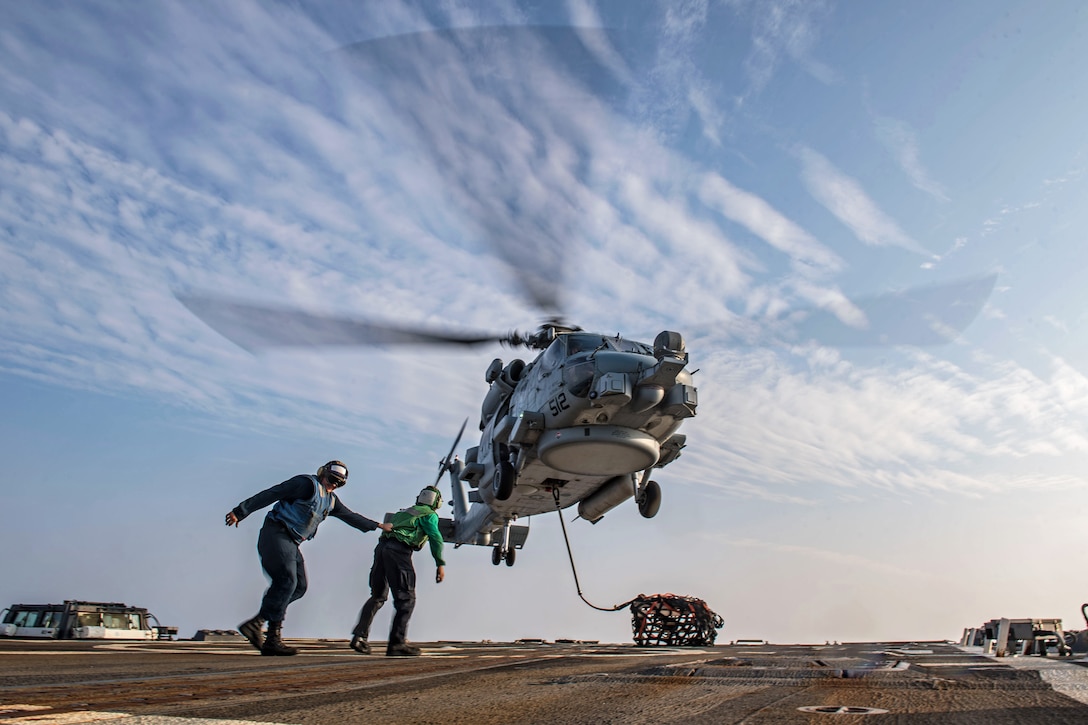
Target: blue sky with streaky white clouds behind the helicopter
{"x": 708, "y": 167}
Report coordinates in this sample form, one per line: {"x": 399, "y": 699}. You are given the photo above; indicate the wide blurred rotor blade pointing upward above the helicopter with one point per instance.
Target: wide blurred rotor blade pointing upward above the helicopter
{"x": 454, "y": 72}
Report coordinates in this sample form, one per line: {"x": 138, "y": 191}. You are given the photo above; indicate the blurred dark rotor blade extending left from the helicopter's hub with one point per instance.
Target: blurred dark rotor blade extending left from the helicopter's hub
{"x": 255, "y": 327}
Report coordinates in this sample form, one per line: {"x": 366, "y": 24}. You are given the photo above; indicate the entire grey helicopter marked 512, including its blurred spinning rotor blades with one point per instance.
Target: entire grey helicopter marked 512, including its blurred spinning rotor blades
{"x": 589, "y": 420}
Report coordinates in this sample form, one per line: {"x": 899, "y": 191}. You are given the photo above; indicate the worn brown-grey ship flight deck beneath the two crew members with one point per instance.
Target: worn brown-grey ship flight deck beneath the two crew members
{"x": 480, "y": 683}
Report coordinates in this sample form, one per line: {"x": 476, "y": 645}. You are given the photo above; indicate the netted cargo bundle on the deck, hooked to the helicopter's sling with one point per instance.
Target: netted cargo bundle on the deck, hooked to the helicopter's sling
{"x": 673, "y": 621}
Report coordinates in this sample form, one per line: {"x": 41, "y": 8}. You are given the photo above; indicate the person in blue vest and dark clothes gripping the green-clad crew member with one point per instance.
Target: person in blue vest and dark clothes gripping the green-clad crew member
{"x": 302, "y": 503}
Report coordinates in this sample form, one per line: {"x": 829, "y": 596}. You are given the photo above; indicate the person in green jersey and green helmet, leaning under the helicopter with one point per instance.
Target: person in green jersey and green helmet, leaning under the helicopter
{"x": 393, "y": 571}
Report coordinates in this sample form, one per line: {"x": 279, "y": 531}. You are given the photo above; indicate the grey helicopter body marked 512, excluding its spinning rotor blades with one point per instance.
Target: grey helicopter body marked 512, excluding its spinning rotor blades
{"x": 586, "y": 423}
